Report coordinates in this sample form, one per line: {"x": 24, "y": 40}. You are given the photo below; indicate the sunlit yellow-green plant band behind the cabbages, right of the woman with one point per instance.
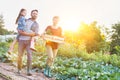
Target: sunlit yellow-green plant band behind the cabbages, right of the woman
{"x": 68, "y": 50}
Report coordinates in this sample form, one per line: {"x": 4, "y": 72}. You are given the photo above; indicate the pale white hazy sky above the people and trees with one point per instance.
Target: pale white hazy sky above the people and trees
{"x": 71, "y": 12}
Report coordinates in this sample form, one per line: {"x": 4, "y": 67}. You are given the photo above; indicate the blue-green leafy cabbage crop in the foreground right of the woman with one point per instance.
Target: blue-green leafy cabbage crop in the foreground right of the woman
{"x": 77, "y": 69}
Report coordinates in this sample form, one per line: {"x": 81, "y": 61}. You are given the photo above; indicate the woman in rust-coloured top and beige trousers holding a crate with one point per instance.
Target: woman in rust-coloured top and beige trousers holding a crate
{"x": 52, "y": 47}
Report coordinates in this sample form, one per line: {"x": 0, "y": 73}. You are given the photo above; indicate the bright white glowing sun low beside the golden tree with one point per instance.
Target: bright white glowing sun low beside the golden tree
{"x": 71, "y": 25}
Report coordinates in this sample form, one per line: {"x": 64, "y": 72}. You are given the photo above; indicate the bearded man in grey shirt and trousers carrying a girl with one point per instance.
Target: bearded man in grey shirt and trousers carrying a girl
{"x": 24, "y": 41}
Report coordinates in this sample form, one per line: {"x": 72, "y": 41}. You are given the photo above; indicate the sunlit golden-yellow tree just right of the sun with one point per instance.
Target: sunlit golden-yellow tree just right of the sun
{"x": 91, "y": 35}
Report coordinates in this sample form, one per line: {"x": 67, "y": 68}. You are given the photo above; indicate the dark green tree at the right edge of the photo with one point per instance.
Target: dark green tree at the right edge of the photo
{"x": 115, "y": 38}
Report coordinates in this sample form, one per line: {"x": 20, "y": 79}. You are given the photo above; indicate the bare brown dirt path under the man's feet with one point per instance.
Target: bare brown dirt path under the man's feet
{"x": 9, "y": 73}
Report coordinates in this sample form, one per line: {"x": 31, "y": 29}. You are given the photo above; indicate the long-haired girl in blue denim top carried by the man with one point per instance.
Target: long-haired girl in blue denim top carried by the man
{"x": 21, "y": 22}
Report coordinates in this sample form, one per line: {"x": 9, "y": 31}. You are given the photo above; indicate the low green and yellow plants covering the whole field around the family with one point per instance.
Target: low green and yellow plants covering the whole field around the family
{"x": 73, "y": 62}
